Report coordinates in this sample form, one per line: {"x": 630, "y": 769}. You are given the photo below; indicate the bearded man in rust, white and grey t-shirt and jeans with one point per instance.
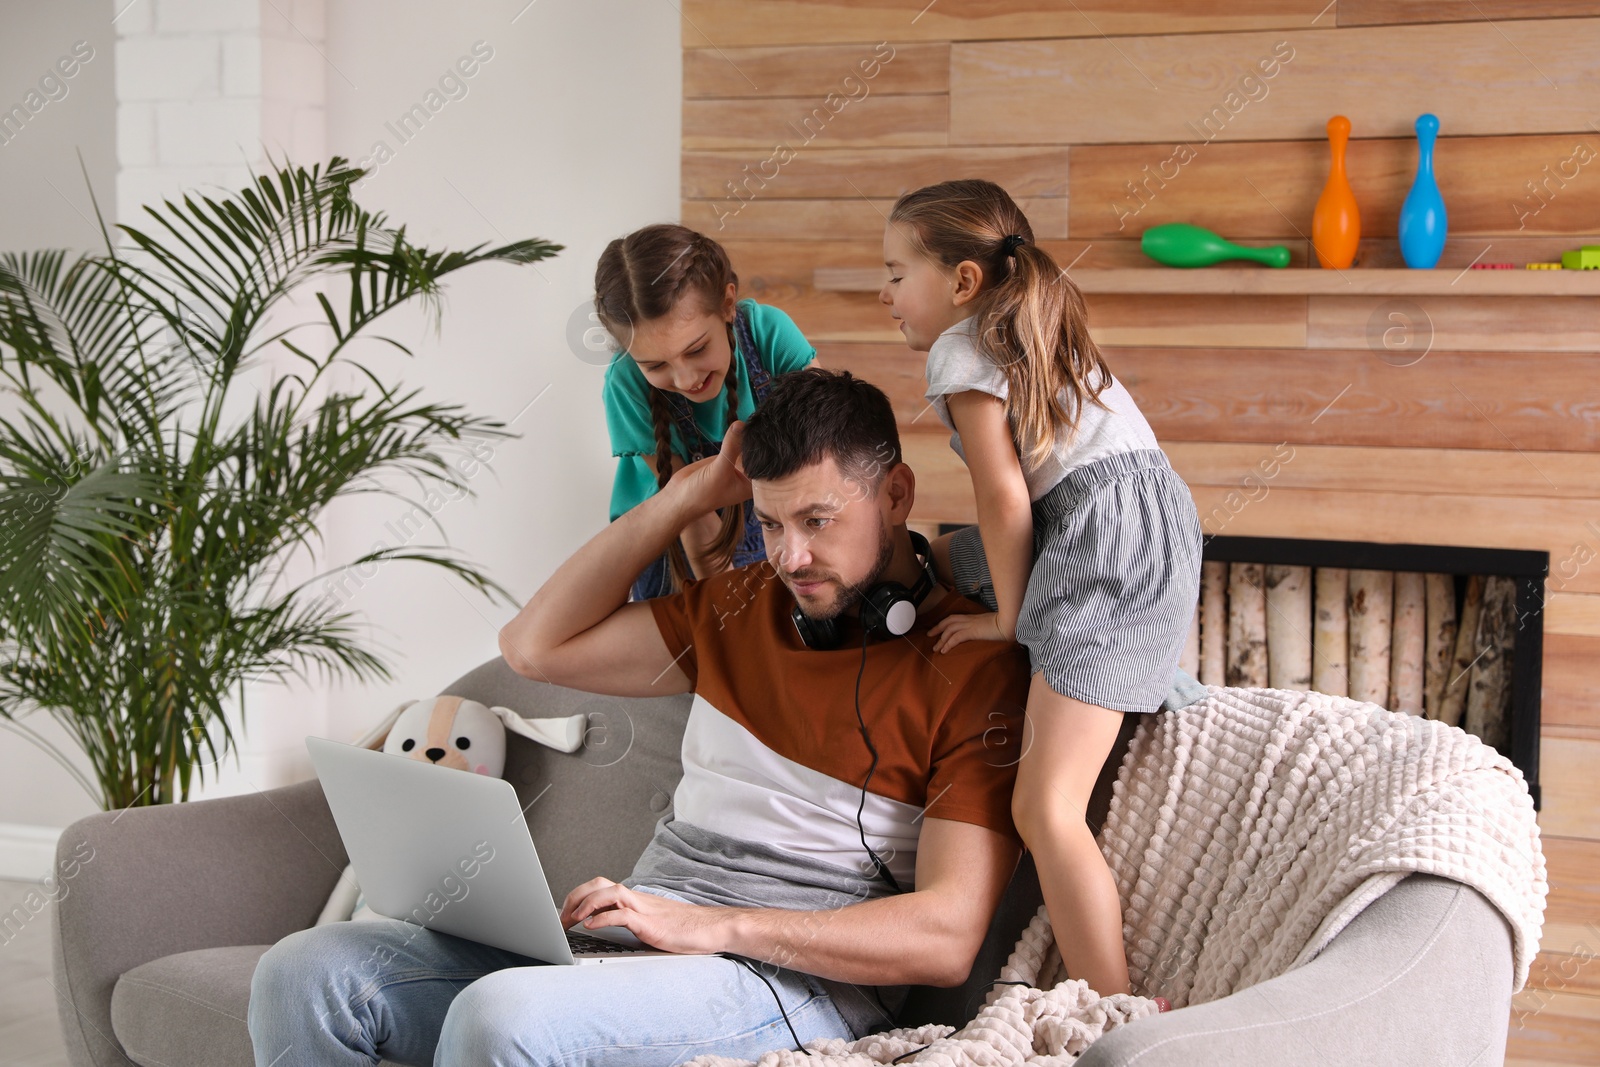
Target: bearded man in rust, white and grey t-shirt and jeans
{"x": 762, "y": 857}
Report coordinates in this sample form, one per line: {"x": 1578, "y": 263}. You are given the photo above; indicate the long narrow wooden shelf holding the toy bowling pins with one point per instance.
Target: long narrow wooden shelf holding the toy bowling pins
{"x": 1287, "y": 282}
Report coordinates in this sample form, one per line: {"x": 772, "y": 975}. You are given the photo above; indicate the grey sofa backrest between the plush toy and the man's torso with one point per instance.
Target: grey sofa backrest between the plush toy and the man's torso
{"x": 591, "y": 812}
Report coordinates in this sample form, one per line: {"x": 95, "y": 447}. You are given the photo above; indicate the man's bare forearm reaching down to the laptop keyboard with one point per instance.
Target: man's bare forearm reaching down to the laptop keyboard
{"x": 929, "y": 937}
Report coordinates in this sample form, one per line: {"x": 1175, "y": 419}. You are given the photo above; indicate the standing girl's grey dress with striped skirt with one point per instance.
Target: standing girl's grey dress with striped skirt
{"x": 1116, "y": 546}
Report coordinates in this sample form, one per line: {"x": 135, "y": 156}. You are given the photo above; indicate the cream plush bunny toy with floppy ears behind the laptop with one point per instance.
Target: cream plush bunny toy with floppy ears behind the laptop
{"x": 458, "y": 733}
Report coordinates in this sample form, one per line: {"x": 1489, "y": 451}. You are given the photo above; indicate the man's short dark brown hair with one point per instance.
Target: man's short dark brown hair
{"x": 815, "y": 414}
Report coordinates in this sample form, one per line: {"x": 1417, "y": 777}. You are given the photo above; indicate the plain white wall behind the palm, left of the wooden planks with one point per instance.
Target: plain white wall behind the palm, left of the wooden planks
{"x": 567, "y": 132}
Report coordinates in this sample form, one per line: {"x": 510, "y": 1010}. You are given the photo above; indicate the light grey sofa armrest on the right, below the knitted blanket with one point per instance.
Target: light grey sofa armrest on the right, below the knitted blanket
{"x": 1422, "y": 977}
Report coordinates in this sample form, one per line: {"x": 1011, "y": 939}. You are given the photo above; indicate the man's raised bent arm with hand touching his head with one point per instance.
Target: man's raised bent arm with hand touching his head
{"x": 580, "y": 631}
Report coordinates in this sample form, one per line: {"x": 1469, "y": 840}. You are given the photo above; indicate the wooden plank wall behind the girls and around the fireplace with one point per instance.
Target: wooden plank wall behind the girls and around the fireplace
{"x": 806, "y": 119}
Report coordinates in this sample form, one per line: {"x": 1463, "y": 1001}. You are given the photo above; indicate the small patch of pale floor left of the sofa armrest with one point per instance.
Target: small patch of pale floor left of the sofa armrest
{"x": 30, "y": 1029}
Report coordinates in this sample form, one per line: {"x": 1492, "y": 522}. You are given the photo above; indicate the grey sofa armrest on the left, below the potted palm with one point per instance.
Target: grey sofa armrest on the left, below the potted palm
{"x": 143, "y": 884}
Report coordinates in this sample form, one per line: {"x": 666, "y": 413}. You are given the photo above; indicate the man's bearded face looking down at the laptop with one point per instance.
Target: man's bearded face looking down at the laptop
{"x": 826, "y": 535}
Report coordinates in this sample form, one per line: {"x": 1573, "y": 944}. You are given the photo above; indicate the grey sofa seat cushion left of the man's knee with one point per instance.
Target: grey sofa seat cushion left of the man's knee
{"x": 188, "y": 1009}
